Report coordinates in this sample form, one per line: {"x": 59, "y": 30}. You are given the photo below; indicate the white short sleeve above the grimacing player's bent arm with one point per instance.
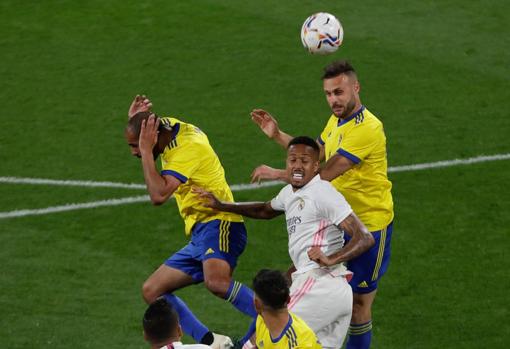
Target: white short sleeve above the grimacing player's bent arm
{"x": 332, "y": 205}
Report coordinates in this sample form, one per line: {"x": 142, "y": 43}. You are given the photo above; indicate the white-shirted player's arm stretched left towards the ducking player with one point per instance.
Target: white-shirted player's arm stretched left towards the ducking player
{"x": 258, "y": 210}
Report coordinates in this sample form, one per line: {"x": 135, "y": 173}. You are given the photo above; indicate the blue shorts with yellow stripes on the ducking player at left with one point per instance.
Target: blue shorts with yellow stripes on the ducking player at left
{"x": 215, "y": 239}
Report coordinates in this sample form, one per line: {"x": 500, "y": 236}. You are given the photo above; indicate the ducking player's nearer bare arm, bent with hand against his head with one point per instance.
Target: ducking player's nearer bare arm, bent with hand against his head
{"x": 160, "y": 188}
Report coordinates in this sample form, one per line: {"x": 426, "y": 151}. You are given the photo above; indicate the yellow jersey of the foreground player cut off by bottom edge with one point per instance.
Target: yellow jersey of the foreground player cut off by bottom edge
{"x": 296, "y": 334}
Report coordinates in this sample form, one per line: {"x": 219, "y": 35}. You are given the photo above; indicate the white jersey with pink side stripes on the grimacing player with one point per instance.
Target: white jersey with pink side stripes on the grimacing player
{"x": 313, "y": 213}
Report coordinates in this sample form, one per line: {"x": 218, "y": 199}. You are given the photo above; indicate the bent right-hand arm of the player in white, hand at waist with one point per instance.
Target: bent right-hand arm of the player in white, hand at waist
{"x": 360, "y": 242}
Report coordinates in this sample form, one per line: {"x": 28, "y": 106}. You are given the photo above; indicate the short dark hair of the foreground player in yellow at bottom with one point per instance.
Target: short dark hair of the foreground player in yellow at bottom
{"x": 272, "y": 288}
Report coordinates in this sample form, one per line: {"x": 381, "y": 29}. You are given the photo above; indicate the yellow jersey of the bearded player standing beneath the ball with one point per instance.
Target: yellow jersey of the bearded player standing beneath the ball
{"x": 360, "y": 138}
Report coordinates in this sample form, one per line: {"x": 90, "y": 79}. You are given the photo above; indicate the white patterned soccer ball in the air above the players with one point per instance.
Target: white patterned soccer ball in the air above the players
{"x": 322, "y": 33}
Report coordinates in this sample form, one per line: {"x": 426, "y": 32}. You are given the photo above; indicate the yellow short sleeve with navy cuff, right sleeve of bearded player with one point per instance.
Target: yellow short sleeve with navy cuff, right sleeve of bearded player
{"x": 360, "y": 142}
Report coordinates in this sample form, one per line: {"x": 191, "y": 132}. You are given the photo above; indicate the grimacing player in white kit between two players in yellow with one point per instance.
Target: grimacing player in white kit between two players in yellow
{"x": 317, "y": 216}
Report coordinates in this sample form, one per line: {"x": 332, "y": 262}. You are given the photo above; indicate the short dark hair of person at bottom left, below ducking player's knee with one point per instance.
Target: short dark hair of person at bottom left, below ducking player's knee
{"x": 160, "y": 321}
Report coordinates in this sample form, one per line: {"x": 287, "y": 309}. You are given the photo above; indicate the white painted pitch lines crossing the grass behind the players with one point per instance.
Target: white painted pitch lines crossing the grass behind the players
{"x": 235, "y": 187}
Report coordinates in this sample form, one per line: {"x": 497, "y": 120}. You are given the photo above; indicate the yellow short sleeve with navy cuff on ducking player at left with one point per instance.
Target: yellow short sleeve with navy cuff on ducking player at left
{"x": 181, "y": 162}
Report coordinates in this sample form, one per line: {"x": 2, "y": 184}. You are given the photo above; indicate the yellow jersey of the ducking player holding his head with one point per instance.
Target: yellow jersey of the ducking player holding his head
{"x": 190, "y": 158}
